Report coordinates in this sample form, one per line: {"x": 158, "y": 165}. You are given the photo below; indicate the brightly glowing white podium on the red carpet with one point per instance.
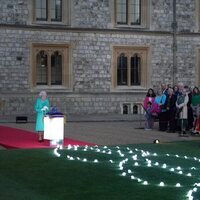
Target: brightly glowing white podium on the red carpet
{"x": 54, "y": 129}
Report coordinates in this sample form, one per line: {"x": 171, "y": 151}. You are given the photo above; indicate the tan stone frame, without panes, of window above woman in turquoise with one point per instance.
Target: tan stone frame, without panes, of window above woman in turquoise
{"x": 66, "y": 66}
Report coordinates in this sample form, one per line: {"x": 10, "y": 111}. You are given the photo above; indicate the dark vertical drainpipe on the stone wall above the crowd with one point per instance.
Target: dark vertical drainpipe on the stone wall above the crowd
{"x": 174, "y": 45}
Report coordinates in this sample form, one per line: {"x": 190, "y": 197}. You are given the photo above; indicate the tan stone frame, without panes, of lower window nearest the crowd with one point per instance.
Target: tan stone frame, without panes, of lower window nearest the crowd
{"x": 144, "y": 53}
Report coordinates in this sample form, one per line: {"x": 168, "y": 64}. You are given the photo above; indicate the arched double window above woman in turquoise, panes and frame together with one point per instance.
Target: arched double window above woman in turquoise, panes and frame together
{"x": 51, "y": 65}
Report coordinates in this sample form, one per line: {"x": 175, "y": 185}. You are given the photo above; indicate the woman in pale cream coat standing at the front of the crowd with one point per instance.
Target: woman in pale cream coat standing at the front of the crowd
{"x": 181, "y": 105}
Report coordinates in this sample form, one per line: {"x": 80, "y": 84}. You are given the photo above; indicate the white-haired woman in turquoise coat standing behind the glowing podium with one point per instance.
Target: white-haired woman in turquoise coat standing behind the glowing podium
{"x": 41, "y": 107}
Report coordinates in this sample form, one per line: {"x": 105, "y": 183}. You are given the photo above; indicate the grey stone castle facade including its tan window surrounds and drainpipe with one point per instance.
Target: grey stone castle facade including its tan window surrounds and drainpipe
{"x": 93, "y": 39}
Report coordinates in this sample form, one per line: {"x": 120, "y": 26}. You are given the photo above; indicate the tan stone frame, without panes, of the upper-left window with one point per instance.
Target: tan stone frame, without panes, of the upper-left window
{"x": 65, "y": 13}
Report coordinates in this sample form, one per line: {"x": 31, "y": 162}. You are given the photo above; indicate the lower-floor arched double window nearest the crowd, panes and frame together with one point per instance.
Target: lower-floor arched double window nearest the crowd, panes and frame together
{"x": 130, "y": 67}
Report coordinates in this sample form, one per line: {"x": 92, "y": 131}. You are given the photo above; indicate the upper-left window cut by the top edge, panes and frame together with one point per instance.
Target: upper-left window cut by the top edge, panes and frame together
{"x": 51, "y": 11}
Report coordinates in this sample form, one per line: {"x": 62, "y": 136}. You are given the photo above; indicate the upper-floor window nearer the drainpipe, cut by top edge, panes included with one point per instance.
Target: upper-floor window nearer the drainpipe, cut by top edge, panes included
{"x": 131, "y": 13}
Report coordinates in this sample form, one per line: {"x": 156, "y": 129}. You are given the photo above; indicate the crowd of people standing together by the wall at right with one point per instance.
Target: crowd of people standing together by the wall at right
{"x": 177, "y": 109}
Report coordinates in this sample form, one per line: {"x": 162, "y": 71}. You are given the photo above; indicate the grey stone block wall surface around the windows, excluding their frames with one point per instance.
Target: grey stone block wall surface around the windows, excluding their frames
{"x": 91, "y": 54}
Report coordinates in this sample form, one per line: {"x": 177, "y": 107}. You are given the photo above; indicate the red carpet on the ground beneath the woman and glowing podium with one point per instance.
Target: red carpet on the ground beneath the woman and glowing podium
{"x": 13, "y": 138}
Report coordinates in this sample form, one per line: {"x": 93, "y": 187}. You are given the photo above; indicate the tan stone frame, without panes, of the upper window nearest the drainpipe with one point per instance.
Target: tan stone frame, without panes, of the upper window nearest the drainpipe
{"x": 144, "y": 12}
